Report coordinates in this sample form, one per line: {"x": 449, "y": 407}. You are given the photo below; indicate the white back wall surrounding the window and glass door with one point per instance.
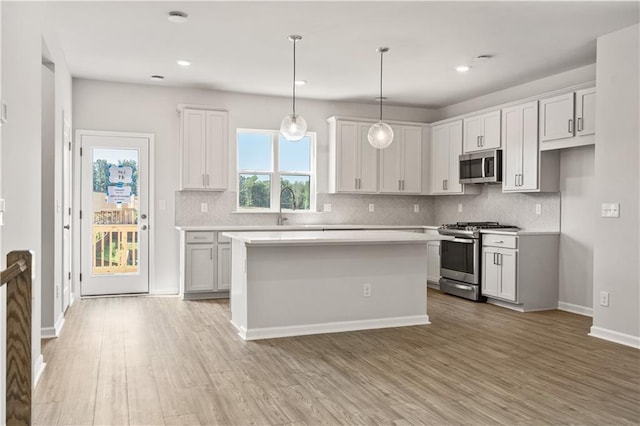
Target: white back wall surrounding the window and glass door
{"x": 150, "y": 108}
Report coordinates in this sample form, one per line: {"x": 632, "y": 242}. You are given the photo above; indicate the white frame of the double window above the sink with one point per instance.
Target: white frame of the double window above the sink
{"x": 275, "y": 173}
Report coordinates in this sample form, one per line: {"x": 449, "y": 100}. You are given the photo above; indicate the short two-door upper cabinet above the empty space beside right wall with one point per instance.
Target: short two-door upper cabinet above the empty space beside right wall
{"x": 568, "y": 120}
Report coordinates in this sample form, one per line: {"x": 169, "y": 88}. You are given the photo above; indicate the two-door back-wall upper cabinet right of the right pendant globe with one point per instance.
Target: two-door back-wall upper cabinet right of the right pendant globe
{"x": 401, "y": 162}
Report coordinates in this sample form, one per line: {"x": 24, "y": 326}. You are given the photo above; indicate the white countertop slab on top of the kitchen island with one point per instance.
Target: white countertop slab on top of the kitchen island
{"x": 332, "y": 237}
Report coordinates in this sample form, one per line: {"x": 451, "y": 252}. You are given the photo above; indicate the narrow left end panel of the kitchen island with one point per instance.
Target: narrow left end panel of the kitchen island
{"x": 238, "y": 292}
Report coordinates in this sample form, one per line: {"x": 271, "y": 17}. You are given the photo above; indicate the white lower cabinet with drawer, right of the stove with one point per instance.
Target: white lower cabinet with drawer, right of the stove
{"x": 521, "y": 272}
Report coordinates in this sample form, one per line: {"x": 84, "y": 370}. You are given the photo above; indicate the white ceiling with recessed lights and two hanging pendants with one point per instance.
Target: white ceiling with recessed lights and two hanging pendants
{"x": 243, "y": 47}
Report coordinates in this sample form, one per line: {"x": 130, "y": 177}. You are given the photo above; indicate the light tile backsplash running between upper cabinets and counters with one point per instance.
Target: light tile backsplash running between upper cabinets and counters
{"x": 490, "y": 204}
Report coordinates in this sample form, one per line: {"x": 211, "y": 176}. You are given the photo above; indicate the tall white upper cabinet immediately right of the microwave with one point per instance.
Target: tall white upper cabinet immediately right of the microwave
{"x": 521, "y": 159}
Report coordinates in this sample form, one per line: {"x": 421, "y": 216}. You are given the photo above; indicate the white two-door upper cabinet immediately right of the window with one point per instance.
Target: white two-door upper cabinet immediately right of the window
{"x": 353, "y": 162}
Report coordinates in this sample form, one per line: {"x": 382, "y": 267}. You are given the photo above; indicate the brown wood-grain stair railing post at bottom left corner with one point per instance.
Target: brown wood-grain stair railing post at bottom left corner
{"x": 17, "y": 277}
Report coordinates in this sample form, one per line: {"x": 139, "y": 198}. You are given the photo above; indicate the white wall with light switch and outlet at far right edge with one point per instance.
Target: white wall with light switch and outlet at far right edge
{"x": 616, "y": 246}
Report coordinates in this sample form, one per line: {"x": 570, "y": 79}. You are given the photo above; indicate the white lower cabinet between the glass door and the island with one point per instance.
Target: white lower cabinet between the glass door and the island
{"x": 206, "y": 265}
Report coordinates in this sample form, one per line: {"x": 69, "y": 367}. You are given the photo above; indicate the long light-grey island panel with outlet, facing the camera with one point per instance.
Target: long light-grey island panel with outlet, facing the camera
{"x": 294, "y": 286}
